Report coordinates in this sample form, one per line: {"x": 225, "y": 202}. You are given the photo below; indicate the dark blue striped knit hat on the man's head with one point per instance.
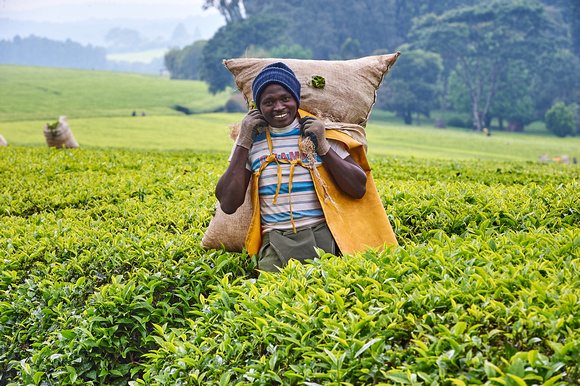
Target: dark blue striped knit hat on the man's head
{"x": 276, "y": 73}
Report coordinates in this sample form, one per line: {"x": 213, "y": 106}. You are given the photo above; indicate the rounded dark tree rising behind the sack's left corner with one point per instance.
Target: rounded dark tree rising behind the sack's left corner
{"x": 232, "y": 40}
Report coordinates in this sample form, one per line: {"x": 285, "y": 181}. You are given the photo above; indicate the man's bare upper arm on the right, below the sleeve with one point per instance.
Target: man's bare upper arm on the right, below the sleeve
{"x": 349, "y": 176}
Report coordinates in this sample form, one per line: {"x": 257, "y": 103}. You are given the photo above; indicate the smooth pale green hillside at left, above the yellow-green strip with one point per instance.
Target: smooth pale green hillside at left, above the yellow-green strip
{"x": 44, "y": 93}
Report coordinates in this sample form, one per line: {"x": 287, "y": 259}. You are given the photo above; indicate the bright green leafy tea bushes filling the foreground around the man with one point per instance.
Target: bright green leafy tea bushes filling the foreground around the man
{"x": 103, "y": 282}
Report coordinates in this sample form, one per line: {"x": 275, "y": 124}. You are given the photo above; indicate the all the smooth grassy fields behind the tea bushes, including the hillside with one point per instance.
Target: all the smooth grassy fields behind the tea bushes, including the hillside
{"x": 98, "y": 106}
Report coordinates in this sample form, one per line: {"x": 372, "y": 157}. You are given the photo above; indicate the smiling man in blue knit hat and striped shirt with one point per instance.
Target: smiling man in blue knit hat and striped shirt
{"x": 292, "y": 219}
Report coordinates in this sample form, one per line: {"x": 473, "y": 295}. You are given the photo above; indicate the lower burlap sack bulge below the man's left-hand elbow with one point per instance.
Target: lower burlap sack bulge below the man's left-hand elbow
{"x": 227, "y": 230}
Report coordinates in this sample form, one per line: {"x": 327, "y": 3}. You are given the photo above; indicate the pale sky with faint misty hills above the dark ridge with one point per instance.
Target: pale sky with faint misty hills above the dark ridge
{"x": 88, "y": 21}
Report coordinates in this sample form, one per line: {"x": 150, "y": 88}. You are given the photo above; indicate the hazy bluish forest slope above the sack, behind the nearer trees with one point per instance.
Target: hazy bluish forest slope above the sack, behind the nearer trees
{"x": 323, "y": 26}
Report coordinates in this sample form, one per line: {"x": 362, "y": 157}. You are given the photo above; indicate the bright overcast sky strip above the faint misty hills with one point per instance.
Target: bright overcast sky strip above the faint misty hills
{"x": 78, "y": 10}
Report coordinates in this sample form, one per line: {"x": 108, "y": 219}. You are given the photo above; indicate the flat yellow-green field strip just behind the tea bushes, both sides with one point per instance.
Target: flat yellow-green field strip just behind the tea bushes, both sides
{"x": 209, "y": 132}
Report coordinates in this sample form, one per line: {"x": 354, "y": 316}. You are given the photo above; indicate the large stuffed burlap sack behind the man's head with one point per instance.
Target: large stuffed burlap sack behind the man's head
{"x": 349, "y": 91}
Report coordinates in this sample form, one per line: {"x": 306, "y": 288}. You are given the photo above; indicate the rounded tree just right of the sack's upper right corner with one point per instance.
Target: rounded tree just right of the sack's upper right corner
{"x": 412, "y": 85}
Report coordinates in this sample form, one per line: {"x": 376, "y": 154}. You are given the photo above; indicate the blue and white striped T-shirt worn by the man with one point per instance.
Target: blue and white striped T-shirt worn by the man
{"x": 306, "y": 210}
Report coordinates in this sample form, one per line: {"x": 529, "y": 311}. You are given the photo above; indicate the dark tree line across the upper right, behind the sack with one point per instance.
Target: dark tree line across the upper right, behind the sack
{"x": 512, "y": 60}
